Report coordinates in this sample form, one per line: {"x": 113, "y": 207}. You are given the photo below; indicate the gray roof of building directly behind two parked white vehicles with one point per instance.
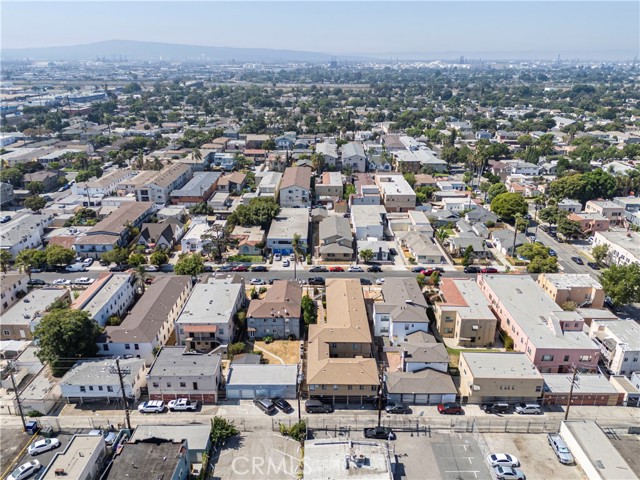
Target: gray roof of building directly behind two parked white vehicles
{"x": 173, "y": 362}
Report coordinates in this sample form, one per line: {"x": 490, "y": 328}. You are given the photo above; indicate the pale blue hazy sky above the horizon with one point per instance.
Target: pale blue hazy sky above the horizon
{"x": 357, "y": 27}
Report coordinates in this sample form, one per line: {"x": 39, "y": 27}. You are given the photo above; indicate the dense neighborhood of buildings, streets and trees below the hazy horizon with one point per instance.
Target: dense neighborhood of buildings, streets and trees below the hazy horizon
{"x": 323, "y": 253}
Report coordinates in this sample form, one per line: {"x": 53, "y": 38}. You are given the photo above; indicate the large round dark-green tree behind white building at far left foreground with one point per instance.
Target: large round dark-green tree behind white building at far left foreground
{"x": 64, "y": 336}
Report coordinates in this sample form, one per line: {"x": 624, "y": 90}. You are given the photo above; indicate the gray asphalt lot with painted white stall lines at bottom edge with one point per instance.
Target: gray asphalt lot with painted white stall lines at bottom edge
{"x": 455, "y": 456}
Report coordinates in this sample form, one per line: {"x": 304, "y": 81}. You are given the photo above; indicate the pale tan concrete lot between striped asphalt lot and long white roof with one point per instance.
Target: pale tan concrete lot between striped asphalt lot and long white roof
{"x": 537, "y": 459}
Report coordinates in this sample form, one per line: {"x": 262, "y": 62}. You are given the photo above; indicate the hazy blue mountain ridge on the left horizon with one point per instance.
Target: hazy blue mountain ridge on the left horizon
{"x": 136, "y": 50}
